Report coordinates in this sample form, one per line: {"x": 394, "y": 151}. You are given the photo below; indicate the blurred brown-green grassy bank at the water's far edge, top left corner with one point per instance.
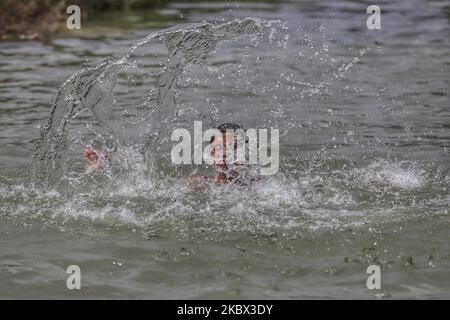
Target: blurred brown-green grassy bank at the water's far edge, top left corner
{"x": 38, "y": 19}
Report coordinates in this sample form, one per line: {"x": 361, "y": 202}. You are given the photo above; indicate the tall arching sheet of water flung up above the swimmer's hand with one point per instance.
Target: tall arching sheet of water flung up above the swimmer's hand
{"x": 92, "y": 89}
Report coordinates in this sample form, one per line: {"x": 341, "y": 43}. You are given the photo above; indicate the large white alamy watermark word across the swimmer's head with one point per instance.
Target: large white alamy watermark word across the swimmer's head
{"x": 231, "y": 147}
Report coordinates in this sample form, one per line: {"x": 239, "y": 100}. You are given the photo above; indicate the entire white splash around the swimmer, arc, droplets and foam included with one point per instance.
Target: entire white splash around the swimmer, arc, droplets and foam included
{"x": 137, "y": 99}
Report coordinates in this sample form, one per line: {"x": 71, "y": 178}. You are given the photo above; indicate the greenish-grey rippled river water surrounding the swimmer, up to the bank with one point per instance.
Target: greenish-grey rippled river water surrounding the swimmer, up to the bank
{"x": 364, "y": 120}
